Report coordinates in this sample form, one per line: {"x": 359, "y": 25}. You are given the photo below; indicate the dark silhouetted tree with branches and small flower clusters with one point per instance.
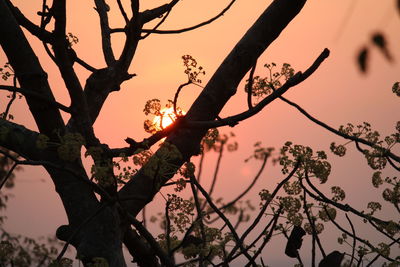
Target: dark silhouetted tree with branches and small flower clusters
{"x": 102, "y": 205}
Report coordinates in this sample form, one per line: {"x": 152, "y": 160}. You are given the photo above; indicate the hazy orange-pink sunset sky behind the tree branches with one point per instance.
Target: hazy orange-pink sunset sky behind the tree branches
{"x": 336, "y": 93}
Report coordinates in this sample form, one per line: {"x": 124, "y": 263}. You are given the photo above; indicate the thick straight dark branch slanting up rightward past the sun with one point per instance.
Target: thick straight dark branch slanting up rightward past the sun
{"x": 214, "y": 96}
